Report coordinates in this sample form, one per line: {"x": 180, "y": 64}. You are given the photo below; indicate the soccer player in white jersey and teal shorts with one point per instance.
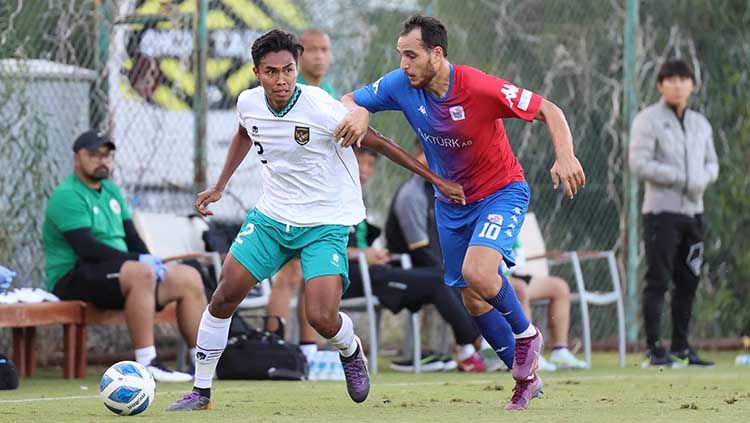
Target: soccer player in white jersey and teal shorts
{"x": 311, "y": 196}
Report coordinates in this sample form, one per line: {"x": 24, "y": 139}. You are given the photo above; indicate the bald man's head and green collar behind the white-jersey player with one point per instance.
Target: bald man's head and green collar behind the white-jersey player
{"x": 315, "y": 60}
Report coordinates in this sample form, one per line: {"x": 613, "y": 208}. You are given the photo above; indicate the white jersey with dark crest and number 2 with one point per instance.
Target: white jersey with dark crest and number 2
{"x": 308, "y": 179}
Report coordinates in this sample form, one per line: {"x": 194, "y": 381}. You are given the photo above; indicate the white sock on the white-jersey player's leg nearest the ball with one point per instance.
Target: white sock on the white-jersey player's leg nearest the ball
{"x": 212, "y": 339}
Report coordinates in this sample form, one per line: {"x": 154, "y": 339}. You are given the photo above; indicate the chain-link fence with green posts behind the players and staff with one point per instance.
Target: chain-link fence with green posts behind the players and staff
{"x": 128, "y": 66}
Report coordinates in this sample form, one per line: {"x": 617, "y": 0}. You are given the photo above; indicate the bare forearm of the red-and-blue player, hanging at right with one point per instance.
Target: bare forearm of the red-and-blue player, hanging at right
{"x": 567, "y": 169}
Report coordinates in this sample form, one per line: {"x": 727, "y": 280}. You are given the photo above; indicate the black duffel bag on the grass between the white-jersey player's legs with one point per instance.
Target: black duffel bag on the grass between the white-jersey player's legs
{"x": 261, "y": 355}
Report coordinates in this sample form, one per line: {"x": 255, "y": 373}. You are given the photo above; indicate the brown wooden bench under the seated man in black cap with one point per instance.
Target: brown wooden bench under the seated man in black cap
{"x": 75, "y": 317}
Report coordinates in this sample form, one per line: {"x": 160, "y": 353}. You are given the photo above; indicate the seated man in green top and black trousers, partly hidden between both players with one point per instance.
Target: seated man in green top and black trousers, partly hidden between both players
{"x": 398, "y": 288}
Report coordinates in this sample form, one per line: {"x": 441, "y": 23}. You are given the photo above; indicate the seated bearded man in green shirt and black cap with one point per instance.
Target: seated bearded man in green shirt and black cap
{"x": 93, "y": 253}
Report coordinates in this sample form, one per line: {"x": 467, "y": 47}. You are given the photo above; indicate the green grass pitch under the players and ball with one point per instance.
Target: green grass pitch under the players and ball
{"x": 605, "y": 393}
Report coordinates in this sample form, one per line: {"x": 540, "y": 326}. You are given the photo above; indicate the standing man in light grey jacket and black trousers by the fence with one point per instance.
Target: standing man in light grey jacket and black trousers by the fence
{"x": 672, "y": 151}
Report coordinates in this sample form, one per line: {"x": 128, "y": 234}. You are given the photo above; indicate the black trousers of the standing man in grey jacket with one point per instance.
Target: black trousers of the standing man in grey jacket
{"x": 674, "y": 253}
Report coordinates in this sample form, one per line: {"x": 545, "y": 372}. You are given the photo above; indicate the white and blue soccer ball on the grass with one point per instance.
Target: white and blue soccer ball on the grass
{"x": 127, "y": 388}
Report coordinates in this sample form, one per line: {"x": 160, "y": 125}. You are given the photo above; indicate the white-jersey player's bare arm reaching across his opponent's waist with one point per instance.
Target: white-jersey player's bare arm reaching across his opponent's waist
{"x": 376, "y": 141}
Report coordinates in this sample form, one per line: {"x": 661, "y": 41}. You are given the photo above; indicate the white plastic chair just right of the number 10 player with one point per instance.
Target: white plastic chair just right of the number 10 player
{"x": 538, "y": 261}
